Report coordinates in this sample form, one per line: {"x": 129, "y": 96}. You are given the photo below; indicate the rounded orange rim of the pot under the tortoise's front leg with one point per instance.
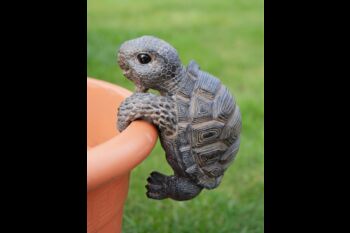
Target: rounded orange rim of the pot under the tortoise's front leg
{"x": 117, "y": 156}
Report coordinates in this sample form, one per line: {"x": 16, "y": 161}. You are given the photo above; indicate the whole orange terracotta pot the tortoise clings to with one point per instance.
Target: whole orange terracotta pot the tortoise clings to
{"x": 111, "y": 155}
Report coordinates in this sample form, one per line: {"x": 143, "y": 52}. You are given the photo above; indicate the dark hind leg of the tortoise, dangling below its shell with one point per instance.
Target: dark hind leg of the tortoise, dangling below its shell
{"x": 175, "y": 187}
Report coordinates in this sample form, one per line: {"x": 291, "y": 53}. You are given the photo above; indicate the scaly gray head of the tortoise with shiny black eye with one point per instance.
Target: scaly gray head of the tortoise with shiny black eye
{"x": 149, "y": 62}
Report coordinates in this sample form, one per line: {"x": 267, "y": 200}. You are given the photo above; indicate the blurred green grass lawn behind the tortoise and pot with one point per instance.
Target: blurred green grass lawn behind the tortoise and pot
{"x": 226, "y": 39}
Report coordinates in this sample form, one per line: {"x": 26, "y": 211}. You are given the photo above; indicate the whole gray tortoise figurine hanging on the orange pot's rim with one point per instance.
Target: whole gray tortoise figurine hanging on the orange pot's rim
{"x": 198, "y": 120}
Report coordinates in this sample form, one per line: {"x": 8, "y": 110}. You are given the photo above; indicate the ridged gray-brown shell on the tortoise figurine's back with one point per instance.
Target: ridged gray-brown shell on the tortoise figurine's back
{"x": 208, "y": 129}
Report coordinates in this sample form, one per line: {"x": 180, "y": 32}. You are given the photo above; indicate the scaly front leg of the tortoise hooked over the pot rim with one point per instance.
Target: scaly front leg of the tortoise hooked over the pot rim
{"x": 158, "y": 110}
